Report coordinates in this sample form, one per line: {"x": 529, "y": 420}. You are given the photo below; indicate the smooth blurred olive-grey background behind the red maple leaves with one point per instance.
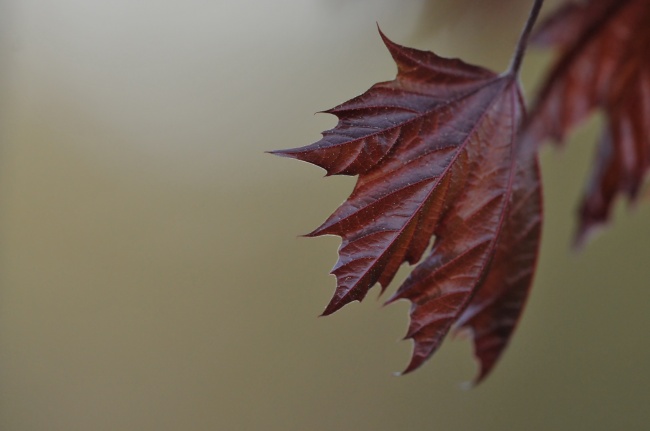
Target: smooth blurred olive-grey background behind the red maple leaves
{"x": 151, "y": 277}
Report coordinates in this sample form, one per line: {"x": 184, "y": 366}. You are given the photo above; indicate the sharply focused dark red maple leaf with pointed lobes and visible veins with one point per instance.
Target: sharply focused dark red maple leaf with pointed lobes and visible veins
{"x": 437, "y": 156}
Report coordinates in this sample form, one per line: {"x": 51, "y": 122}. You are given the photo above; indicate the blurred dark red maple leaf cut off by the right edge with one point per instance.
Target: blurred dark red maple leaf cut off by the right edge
{"x": 603, "y": 64}
